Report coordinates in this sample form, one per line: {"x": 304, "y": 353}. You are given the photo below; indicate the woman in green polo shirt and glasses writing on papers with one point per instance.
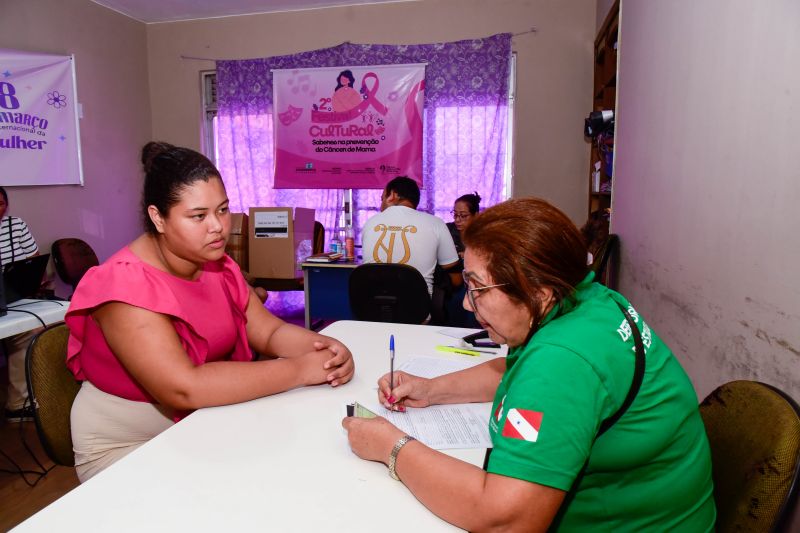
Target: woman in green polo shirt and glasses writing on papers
{"x": 569, "y": 369}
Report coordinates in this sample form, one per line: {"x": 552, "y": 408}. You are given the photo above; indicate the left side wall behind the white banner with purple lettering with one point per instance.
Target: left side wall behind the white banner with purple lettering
{"x": 111, "y": 65}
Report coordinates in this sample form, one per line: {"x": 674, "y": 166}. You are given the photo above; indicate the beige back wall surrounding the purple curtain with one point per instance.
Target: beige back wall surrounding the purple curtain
{"x": 554, "y": 70}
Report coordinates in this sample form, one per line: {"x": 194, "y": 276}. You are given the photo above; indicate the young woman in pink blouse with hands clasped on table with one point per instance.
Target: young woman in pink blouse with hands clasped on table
{"x": 168, "y": 324}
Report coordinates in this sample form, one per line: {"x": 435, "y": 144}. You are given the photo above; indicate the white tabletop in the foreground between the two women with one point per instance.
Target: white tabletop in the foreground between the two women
{"x": 280, "y": 463}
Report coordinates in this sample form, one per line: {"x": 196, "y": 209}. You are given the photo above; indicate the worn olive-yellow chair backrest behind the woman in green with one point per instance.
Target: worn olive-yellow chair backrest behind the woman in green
{"x": 754, "y": 433}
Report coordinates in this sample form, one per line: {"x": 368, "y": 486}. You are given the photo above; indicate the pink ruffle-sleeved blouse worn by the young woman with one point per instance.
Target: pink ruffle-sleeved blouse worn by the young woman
{"x": 208, "y": 315}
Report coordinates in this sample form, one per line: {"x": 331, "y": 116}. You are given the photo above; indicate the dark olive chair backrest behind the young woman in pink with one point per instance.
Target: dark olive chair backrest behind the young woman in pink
{"x": 52, "y": 389}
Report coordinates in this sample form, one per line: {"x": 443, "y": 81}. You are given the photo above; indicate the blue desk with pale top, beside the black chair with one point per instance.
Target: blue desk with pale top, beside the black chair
{"x": 326, "y": 287}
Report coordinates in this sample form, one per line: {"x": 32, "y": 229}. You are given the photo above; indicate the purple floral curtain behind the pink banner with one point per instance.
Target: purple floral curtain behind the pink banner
{"x": 466, "y": 98}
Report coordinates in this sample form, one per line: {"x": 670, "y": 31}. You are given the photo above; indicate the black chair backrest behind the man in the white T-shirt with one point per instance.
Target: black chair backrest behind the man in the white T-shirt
{"x": 389, "y": 293}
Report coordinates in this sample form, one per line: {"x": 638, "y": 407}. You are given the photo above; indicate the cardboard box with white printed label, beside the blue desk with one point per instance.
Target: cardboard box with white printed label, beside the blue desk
{"x": 279, "y": 238}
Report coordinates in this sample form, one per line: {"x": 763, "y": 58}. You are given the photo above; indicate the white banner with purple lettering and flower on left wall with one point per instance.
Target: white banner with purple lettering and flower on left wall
{"x": 39, "y": 133}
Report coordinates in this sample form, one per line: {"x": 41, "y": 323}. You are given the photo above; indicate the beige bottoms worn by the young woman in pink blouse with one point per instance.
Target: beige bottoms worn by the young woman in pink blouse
{"x": 106, "y": 428}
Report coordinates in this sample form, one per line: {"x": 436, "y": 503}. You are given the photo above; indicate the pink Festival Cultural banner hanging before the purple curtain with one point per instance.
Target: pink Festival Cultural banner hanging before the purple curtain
{"x": 348, "y": 127}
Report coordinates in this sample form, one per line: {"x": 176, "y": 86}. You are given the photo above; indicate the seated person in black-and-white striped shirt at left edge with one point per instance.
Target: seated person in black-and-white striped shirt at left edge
{"x": 16, "y": 242}
